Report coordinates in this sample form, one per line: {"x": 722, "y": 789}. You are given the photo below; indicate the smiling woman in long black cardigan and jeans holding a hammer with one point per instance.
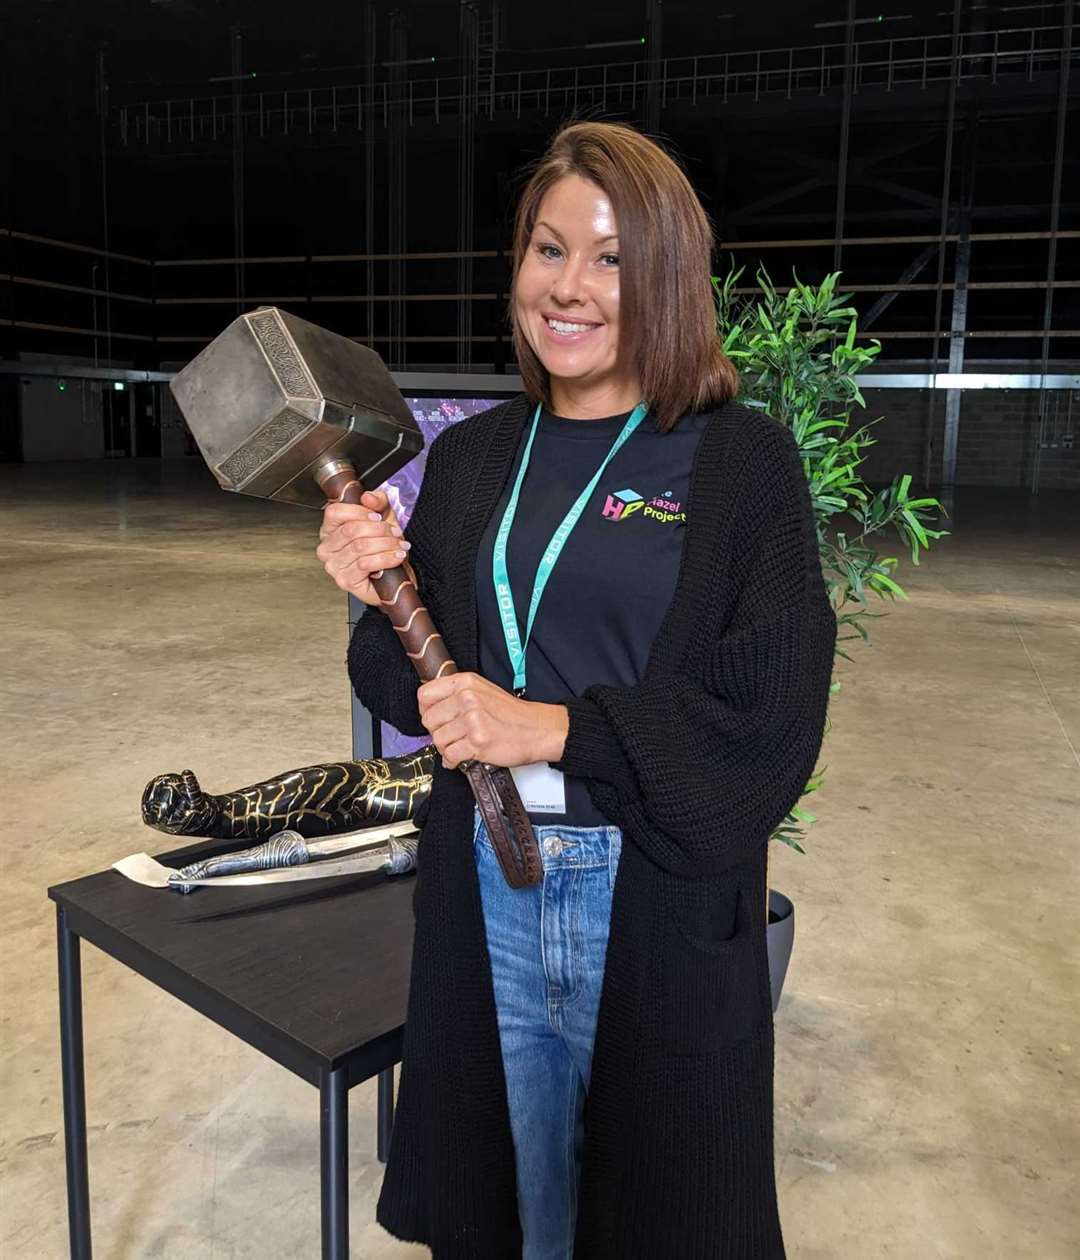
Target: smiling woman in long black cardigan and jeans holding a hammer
{"x": 624, "y": 565}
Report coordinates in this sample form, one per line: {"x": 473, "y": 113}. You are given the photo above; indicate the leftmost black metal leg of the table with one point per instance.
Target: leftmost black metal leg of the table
{"x": 74, "y": 1088}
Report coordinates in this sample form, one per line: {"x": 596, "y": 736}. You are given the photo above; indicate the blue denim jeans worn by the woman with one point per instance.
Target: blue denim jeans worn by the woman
{"x": 548, "y": 947}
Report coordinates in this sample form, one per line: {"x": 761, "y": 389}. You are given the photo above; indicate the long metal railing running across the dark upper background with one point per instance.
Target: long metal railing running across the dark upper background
{"x": 820, "y": 70}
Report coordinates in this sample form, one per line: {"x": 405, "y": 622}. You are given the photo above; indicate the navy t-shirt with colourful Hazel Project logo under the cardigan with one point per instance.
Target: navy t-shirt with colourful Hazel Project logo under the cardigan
{"x": 616, "y": 578}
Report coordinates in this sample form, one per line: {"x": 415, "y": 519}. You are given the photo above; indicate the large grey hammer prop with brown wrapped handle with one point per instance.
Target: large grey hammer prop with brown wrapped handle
{"x": 285, "y": 410}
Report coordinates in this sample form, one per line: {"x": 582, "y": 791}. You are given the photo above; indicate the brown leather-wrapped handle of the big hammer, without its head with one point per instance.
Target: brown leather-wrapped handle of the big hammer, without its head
{"x": 493, "y": 787}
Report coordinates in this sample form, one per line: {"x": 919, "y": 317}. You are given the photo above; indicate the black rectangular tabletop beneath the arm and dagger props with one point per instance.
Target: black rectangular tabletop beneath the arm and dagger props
{"x": 314, "y": 975}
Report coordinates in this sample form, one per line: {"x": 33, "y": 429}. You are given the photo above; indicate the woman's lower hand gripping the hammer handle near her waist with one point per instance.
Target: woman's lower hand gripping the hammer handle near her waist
{"x": 473, "y": 720}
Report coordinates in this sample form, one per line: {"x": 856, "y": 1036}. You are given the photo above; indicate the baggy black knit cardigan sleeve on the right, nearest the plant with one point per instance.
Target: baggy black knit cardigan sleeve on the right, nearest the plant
{"x": 701, "y": 767}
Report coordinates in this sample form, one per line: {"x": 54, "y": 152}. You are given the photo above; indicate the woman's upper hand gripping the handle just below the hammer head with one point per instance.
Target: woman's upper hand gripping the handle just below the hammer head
{"x": 357, "y": 541}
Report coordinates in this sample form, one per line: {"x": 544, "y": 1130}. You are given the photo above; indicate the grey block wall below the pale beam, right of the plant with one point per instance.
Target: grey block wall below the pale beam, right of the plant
{"x": 997, "y": 437}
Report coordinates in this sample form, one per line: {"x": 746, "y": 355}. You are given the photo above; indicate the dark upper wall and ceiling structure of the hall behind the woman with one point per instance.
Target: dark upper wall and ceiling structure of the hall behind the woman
{"x": 176, "y": 132}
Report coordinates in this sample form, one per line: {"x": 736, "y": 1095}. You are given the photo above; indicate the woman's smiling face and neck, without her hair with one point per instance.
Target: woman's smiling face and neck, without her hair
{"x": 568, "y": 292}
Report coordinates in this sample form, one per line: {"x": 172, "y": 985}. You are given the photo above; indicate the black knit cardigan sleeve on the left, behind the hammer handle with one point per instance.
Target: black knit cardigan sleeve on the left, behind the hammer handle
{"x": 381, "y": 673}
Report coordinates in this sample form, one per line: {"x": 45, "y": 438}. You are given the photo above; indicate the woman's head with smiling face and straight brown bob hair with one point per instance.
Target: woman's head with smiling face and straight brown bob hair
{"x": 612, "y": 295}
